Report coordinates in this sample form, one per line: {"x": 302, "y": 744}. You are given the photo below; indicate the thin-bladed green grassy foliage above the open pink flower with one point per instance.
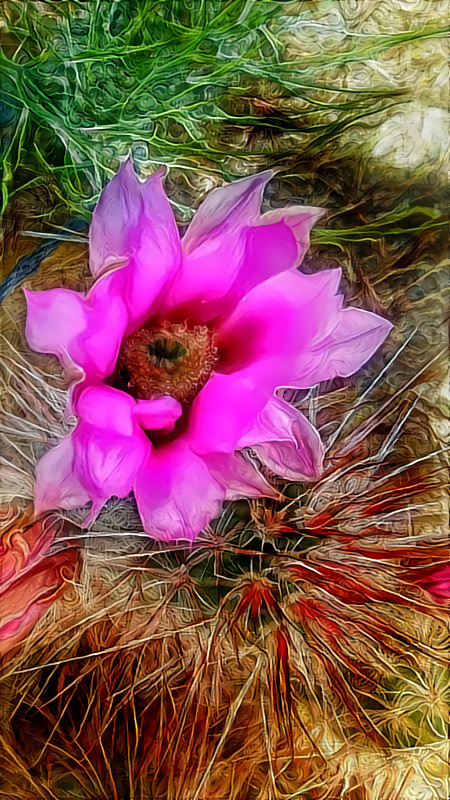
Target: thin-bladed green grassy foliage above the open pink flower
{"x": 83, "y": 83}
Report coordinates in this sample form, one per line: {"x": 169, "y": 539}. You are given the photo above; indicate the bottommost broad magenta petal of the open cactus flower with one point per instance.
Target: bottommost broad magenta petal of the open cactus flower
{"x": 176, "y": 494}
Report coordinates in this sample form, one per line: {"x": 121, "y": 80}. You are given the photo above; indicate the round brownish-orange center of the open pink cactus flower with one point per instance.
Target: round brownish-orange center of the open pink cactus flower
{"x": 172, "y": 359}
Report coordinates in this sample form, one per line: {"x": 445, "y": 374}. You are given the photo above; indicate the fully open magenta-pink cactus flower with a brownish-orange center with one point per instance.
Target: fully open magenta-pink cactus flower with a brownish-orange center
{"x": 177, "y": 351}
